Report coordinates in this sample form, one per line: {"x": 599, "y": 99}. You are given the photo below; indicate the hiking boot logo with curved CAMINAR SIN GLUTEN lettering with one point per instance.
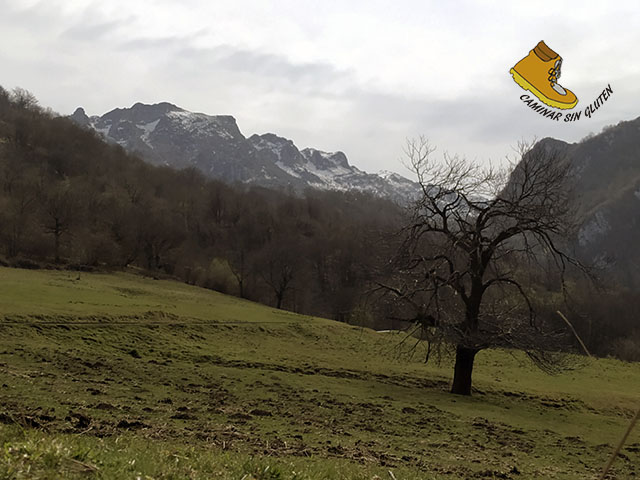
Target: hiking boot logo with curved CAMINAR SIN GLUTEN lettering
{"x": 538, "y": 73}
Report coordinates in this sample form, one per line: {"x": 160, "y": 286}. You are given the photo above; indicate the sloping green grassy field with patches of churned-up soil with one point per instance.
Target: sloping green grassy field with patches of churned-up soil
{"x": 119, "y": 376}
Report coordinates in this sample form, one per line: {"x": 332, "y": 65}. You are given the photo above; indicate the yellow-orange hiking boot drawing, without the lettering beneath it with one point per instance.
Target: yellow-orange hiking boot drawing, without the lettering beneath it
{"x": 539, "y": 72}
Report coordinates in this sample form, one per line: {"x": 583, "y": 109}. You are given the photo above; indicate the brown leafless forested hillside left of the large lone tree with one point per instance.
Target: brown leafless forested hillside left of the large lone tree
{"x": 69, "y": 199}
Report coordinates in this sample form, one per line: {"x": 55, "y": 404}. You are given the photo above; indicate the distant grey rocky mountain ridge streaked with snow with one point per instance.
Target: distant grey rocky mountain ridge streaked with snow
{"x": 164, "y": 134}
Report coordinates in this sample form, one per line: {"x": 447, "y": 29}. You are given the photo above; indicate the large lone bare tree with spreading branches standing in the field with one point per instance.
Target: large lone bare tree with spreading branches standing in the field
{"x": 461, "y": 268}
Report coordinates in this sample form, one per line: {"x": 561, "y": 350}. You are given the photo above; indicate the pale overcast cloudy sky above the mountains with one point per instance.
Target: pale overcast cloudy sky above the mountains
{"x": 360, "y": 76}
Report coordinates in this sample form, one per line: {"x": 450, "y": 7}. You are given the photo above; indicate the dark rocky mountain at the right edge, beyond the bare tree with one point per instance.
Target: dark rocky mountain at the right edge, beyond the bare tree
{"x": 606, "y": 178}
